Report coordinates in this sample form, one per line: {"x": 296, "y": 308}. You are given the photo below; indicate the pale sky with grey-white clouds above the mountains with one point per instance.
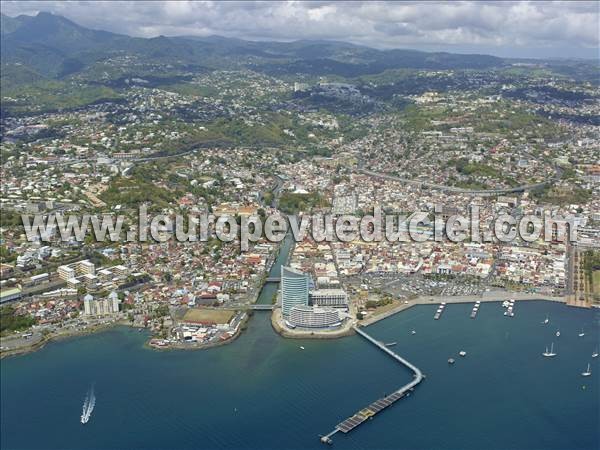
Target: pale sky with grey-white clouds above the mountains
{"x": 524, "y": 29}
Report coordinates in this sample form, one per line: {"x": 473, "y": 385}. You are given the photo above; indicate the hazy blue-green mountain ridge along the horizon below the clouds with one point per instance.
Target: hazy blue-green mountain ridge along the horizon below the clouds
{"x": 56, "y": 47}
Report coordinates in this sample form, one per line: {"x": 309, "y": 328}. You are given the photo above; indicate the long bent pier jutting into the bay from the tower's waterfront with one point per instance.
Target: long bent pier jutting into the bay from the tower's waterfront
{"x": 366, "y": 413}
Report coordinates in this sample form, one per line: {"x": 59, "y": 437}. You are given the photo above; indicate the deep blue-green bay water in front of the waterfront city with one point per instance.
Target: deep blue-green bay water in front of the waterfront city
{"x": 262, "y": 391}
